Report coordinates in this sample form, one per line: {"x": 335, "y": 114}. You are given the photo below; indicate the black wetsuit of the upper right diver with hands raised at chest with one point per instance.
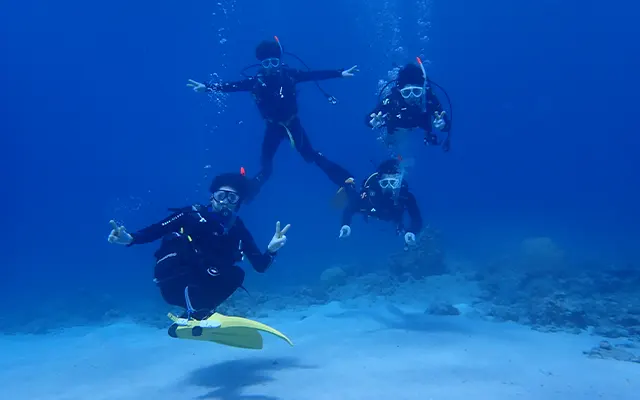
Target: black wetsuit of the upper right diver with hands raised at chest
{"x": 400, "y": 114}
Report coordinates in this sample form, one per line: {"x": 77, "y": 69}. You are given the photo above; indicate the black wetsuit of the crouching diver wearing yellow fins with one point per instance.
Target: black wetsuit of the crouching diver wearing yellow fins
{"x": 198, "y": 253}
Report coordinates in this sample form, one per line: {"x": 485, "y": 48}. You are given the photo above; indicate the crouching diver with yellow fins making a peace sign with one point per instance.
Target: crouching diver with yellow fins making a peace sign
{"x": 196, "y": 264}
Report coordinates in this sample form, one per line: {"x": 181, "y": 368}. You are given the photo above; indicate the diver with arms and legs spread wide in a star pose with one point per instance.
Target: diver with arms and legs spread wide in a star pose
{"x": 274, "y": 92}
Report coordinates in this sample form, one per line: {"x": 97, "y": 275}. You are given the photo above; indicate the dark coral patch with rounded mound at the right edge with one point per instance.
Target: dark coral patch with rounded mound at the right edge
{"x": 555, "y": 295}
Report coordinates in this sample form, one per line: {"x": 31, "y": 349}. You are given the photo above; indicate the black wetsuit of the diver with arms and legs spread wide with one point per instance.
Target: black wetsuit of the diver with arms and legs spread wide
{"x": 275, "y": 96}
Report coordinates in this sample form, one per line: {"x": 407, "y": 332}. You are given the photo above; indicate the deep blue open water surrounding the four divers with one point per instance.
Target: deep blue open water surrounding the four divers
{"x": 97, "y": 124}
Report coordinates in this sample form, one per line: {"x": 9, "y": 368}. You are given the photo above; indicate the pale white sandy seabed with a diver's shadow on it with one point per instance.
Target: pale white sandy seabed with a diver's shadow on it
{"x": 338, "y": 355}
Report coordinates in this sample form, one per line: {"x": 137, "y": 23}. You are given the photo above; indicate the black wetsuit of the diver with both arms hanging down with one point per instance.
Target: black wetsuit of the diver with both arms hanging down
{"x": 372, "y": 202}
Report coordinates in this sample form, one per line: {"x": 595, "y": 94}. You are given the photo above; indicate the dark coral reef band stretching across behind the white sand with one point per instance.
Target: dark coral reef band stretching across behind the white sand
{"x": 537, "y": 287}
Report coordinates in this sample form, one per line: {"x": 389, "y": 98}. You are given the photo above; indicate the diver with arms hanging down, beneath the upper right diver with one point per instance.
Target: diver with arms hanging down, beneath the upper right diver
{"x": 384, "y": 195}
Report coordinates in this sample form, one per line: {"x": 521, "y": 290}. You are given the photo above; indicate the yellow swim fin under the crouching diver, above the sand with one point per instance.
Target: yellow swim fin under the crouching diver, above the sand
{"x": 230, "y": 331}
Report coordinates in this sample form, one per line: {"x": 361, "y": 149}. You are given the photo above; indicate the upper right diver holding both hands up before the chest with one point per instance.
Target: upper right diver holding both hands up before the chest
{"x": 411, "y": 104}
